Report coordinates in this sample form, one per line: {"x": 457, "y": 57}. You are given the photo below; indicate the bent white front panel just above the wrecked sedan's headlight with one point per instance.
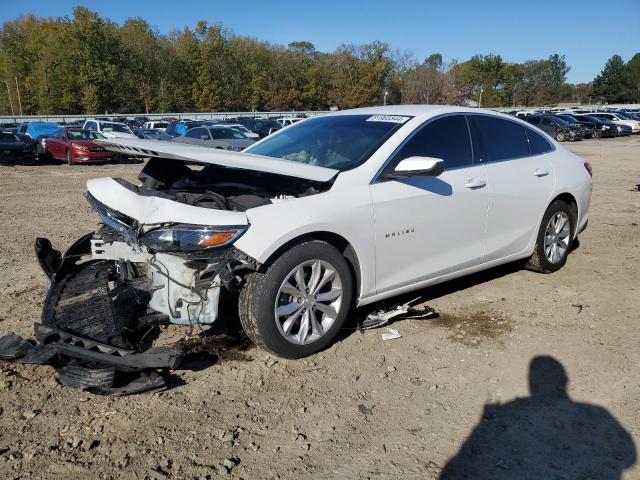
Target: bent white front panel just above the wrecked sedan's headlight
{"x": 152, "y": 210}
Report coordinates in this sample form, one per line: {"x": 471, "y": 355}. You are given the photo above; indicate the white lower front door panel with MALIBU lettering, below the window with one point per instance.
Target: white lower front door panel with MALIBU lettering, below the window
{"x": 428, "y": 226}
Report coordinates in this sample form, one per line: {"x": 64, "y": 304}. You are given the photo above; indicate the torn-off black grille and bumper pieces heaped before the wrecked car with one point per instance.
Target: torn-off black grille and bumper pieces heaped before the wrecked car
{"x": 92, "y": 332}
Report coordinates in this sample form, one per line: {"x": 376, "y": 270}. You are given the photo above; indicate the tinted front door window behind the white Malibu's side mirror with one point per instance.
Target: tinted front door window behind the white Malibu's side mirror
{"x": 446, "y": 138}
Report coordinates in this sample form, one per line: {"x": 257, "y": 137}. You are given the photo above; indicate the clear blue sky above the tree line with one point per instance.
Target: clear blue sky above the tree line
{"x": 516, "y": 30}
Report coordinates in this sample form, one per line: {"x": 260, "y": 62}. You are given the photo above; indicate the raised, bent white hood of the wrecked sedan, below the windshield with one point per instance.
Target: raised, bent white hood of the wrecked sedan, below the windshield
{"x": 225, "y": 158}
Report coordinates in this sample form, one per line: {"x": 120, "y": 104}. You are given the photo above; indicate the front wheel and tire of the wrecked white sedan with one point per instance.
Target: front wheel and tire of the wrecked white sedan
{"x": 303, "y": 329}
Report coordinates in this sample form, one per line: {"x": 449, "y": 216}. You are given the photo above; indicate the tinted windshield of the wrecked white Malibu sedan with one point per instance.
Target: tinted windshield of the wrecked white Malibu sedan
{"x": 341, "y": 142}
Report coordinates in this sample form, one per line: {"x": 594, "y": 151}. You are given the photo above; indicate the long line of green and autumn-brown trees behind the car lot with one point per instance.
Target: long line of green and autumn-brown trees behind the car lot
{"x": 88, "y": 64}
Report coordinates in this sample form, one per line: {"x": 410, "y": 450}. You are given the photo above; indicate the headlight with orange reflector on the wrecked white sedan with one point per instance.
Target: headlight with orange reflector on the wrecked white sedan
{"x": 190, "y": 238}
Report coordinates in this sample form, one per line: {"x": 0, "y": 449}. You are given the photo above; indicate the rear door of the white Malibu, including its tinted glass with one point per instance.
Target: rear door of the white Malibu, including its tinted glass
{"x": 520, "y": 178}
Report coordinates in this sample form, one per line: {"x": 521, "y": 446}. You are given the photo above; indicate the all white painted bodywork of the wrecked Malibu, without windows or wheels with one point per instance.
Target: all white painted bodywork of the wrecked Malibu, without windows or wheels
{"x": 453, "y": 229}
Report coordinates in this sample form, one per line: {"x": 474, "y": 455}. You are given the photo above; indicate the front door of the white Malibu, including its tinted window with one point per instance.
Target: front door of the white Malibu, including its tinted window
{"x": 426, "y": 227}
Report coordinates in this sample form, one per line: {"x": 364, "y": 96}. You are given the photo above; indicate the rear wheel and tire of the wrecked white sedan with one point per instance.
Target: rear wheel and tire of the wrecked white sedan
{"x": 546, "y": 258}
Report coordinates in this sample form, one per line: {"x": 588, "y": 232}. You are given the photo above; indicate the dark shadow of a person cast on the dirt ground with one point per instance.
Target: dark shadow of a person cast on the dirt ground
{"x": 544, "y": 436}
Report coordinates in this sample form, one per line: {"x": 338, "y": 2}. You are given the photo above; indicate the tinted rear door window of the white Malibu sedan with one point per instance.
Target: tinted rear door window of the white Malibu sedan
{"x": 498, "y": 139}
